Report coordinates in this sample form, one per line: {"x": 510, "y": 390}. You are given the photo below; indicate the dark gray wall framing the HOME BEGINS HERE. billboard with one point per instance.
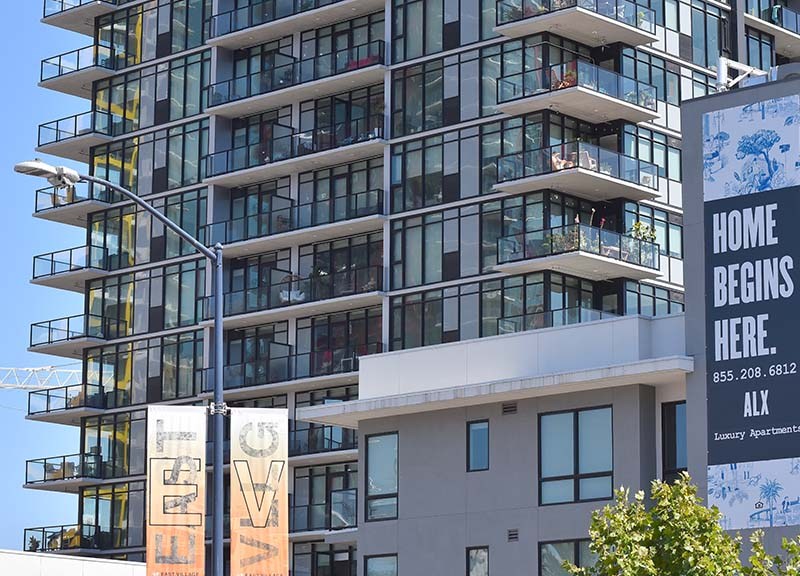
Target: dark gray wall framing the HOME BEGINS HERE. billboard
{"x": 697, "y": 423}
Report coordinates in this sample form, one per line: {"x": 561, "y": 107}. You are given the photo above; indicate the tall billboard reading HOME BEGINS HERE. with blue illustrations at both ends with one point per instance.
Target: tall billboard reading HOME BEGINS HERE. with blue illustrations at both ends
{"x": 751, "y": 186}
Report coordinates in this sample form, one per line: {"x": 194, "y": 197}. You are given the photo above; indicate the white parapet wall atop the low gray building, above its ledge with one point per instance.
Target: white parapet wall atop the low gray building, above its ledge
{"x": 526, "y": 354}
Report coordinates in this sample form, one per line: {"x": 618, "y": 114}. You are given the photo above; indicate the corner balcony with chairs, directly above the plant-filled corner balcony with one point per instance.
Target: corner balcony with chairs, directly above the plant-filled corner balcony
{"x": 578, "y": 168}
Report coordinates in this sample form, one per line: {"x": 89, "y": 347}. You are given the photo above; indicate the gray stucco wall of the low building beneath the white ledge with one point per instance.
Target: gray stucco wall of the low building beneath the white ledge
{"x": 443, "y": 509}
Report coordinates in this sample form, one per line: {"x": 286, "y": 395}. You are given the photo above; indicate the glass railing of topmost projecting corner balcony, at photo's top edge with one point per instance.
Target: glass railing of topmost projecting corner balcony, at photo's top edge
{"x": 623, "y": 11}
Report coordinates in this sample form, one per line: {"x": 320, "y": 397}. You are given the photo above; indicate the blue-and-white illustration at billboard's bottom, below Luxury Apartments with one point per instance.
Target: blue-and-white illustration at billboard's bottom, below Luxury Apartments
{"x": 756, "y": 494}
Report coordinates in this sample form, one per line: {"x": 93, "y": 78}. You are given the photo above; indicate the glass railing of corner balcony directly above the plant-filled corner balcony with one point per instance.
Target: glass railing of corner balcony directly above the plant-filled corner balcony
{"x": 582, "y": 155}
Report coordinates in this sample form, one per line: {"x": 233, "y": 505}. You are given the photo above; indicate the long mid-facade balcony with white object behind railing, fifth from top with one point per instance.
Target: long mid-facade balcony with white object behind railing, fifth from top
{"x": 289, "y": 295}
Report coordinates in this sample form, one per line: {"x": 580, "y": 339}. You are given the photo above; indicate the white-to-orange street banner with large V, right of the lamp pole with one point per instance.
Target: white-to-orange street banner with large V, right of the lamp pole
{"x": 259, "y": 492}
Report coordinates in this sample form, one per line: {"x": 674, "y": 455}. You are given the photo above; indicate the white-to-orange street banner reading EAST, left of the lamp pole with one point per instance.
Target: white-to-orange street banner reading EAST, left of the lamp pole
{"x": 176, "y": 490}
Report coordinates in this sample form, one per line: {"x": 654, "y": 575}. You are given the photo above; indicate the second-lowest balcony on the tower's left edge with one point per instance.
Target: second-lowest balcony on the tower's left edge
{"x": 63, "y": 473}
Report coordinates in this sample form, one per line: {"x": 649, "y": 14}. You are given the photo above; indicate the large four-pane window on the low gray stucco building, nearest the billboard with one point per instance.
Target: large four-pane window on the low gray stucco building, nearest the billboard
{"x": 575, "y": 456}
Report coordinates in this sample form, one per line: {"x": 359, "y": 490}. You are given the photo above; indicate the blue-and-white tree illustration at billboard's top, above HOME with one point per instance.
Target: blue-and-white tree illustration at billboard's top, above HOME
{"x": 750, "y": 149}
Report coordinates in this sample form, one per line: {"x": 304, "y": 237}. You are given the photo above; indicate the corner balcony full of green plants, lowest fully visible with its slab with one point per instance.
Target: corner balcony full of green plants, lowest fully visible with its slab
{"x": 580, "y": 250}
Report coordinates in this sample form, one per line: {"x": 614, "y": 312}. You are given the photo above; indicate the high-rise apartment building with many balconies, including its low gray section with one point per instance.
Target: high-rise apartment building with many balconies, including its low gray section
{"x": 454, "y": 251}
